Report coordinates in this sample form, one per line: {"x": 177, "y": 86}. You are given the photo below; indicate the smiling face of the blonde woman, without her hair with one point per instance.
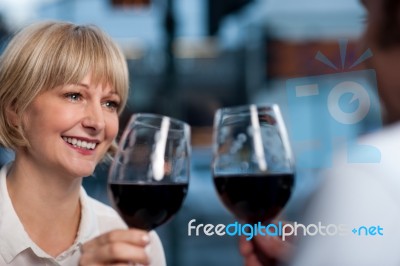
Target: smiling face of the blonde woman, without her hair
{"x": 70, "y": 128}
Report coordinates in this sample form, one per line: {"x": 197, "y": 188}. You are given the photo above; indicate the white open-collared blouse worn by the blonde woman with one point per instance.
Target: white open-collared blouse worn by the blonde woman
{"x": 16, "y": 247}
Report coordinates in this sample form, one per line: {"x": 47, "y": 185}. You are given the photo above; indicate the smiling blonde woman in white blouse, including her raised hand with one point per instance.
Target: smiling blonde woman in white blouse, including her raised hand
{"x": 62, "y": 88}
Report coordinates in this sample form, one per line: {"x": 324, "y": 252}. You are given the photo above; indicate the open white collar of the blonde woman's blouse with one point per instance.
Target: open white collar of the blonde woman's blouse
{"x": 15, "y": 240}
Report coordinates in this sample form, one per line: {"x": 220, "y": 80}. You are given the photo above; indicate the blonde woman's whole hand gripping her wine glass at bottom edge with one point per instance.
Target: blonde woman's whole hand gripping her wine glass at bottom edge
{"x": 119, "y": 247}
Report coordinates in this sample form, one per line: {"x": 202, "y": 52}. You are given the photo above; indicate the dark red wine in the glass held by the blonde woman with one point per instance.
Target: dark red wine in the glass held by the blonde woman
{"x": 147, "y": 206}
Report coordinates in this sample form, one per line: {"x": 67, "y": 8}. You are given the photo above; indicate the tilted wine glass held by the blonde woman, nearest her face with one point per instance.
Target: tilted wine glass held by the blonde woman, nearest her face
{"x": 149, "y": 176}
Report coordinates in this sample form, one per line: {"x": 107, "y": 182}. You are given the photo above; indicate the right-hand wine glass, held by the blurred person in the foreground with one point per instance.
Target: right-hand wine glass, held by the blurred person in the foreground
{"x": 252, "y": 166}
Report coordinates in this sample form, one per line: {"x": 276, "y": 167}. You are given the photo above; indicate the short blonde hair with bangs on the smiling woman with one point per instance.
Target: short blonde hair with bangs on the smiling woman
{"x": 46, "y": 55}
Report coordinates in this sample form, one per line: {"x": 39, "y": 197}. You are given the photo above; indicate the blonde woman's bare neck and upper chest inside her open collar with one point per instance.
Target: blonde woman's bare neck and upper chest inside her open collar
{"x": 47, "y": 205}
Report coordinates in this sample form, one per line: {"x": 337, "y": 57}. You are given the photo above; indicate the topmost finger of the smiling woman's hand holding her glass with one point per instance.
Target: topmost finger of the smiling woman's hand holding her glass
{"x": 132, "y": 236}
